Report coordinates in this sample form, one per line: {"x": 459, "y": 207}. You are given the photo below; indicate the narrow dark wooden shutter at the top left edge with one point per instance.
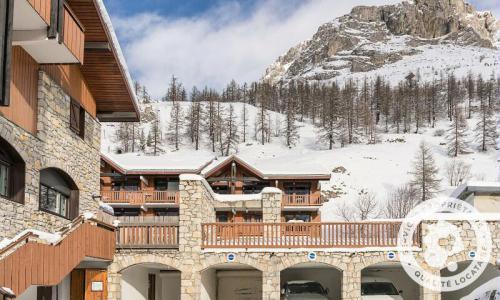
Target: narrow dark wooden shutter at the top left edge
{"x": 6, "y": 14}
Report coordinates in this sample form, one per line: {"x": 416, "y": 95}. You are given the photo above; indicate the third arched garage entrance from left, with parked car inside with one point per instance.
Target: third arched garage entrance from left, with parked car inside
{"x": 313, "y": 277}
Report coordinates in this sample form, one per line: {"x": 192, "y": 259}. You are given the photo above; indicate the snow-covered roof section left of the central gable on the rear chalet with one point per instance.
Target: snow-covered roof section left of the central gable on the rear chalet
{"x": 169, "y": 163}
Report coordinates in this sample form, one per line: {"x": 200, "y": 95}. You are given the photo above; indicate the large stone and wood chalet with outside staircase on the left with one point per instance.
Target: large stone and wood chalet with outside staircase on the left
{"x": 61, "y": 74}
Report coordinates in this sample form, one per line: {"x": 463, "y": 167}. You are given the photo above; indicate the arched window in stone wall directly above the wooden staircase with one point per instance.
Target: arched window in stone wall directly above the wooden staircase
{"x": 58, "y": 194}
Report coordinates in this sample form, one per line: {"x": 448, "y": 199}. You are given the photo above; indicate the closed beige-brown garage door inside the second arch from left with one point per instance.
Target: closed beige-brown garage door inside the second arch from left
{"x": 239, "y": 285}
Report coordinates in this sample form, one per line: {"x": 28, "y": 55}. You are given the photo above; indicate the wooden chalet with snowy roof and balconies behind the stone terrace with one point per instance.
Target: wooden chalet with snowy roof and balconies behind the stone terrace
{"x": 139, "y": 191}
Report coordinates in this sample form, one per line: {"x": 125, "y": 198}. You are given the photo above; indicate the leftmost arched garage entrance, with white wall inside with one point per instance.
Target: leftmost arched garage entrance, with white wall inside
{"x": 151, "y": 282}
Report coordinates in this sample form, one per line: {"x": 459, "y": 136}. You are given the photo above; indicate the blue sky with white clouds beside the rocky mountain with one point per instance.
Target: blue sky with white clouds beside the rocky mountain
{"x": 210, "y": 42}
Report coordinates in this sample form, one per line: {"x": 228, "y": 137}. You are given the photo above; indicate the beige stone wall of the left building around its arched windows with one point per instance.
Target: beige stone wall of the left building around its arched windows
{"x": 54, "y": 146}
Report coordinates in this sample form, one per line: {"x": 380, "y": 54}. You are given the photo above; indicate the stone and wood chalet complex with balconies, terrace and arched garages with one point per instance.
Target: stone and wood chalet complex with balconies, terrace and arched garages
{"x": 218, "y": 229}
